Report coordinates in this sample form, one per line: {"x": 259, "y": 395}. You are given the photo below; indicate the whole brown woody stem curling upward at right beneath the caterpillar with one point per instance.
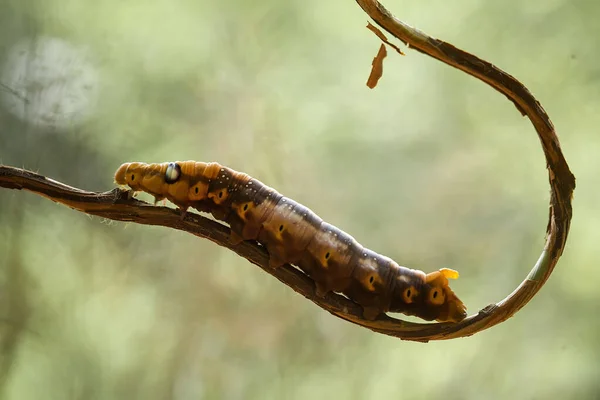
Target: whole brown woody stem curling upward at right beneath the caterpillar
{"x": 118, "y": 204}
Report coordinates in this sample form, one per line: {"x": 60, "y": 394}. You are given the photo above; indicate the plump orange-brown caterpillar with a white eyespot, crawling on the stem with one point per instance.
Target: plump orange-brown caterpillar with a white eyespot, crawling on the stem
{"x": 292, "y": 233}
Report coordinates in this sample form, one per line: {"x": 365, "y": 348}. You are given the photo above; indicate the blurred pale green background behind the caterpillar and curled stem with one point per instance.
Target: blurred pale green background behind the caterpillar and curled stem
{"x": 431, "y": 168}
